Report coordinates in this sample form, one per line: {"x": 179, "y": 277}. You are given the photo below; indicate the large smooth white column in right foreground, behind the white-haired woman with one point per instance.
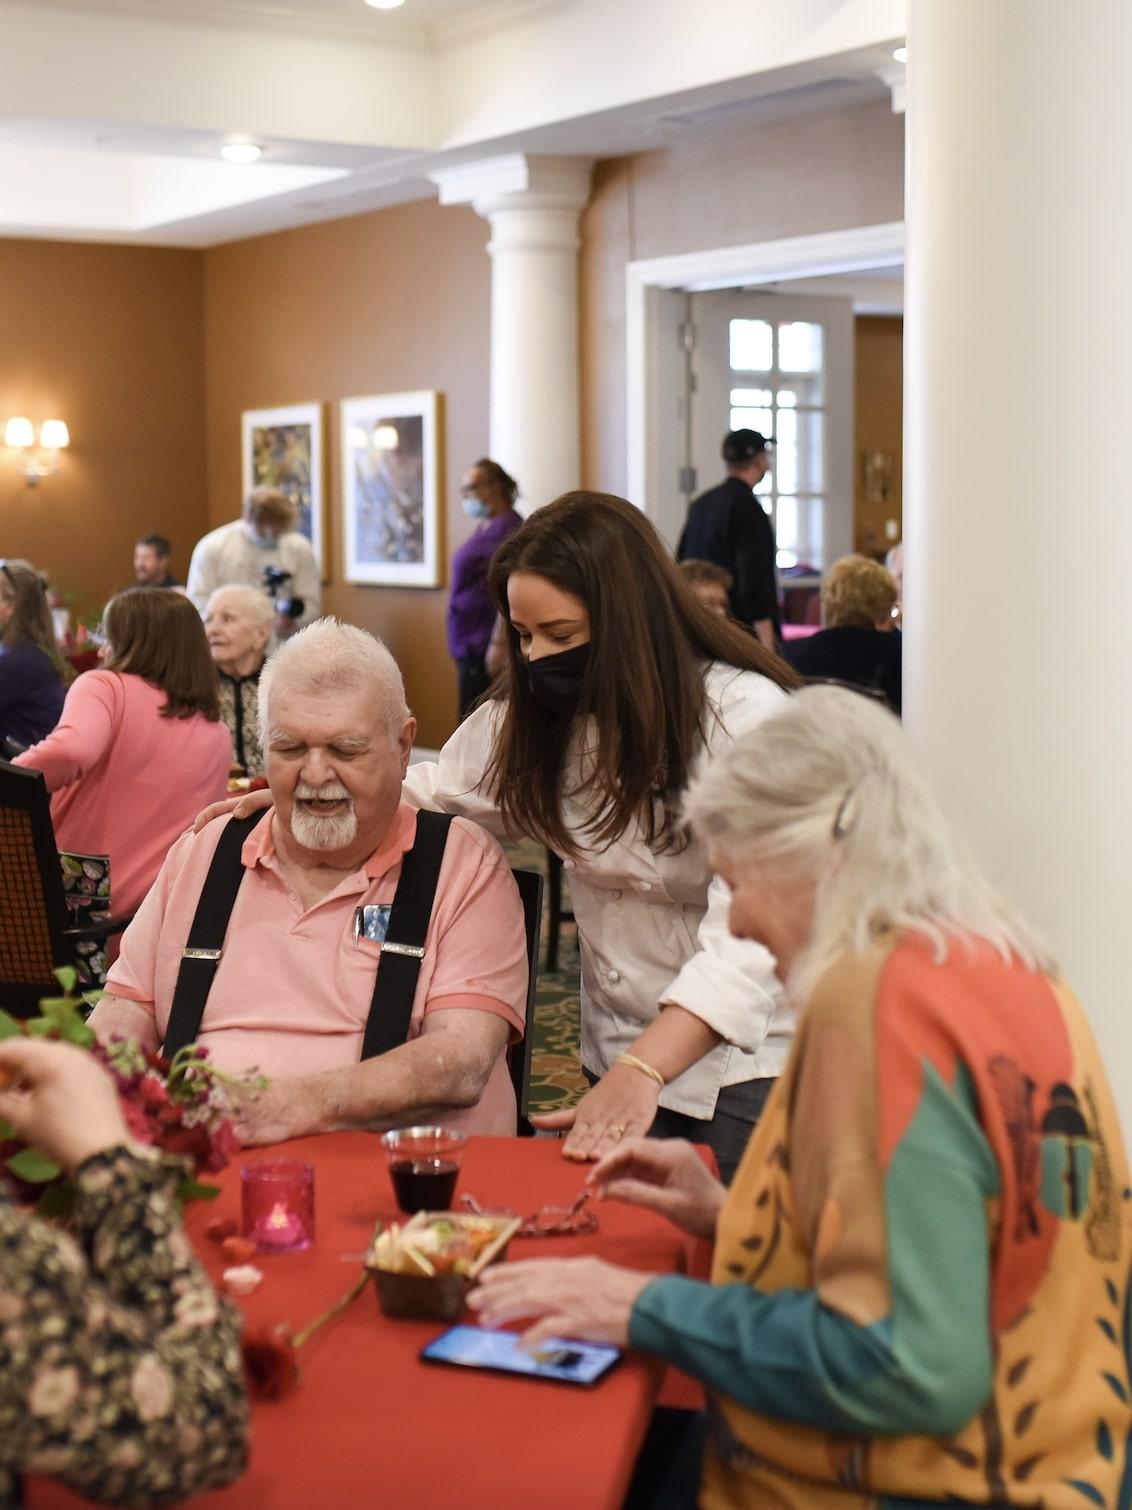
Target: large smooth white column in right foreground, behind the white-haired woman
{"x": 1020, "y": 464}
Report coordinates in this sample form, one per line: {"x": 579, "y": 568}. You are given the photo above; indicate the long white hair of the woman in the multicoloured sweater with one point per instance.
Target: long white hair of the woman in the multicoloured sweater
{"x": 826, "y": 792}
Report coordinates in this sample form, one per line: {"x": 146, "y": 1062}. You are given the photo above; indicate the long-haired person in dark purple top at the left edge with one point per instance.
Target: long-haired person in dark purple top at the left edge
{"x": 32, "y": 671}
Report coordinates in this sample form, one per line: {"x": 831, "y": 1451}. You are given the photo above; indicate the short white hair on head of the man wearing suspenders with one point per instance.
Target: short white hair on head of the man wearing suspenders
{"x": 330, "y": 658}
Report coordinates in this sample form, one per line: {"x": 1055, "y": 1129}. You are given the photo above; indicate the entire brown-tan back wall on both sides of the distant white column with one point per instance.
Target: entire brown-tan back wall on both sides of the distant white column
{"x": 152, "y": 356}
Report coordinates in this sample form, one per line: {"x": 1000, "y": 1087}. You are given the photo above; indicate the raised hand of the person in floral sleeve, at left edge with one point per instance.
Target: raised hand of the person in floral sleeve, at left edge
{"x": 60, "y": 1100}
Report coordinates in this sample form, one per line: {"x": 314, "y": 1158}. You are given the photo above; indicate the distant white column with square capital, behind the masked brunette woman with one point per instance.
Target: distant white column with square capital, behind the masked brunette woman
{"x": 532, "y": 205}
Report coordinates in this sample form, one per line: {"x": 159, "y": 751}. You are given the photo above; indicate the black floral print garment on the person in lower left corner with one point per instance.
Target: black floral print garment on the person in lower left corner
{"x": 120, "y": 1367}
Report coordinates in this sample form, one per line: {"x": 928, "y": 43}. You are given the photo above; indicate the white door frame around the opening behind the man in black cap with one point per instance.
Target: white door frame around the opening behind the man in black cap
{"x": 650, "y": 318}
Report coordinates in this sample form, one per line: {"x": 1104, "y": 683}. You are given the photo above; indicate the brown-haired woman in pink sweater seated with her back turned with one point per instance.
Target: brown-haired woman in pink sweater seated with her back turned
{"x": 140, "y": 747}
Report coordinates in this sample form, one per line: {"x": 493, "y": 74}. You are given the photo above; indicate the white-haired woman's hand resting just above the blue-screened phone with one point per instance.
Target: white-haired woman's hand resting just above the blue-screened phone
{"x": 583, "y": 1298}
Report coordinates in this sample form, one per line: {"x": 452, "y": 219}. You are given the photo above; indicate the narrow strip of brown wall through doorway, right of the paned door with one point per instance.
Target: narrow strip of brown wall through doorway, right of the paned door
{"x": 879, "y": 427}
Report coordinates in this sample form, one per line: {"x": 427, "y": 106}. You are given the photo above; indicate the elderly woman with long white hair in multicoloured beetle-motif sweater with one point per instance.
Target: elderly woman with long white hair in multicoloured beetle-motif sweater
{"x": 921, "y": 1274}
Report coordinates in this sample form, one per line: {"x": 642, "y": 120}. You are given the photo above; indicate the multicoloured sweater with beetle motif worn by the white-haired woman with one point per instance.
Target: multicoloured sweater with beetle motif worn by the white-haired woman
{"x": 921, "y": 1278}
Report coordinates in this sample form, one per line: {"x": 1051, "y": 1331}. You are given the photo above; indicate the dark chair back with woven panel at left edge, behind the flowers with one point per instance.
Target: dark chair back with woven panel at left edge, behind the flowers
{"x": 32, "y": 910}
